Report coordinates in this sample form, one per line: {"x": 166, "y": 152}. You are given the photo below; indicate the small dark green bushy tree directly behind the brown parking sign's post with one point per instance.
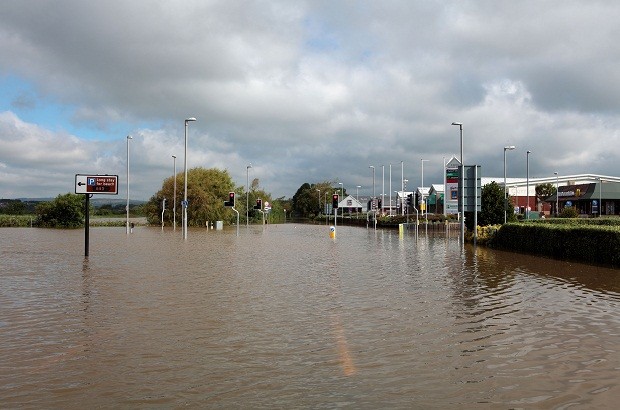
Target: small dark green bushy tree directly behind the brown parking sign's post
{"x": 66, "y": 211}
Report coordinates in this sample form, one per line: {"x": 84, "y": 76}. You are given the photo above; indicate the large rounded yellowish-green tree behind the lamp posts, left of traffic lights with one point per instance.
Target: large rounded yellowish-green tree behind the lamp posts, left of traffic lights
{"x": 207, "y": 189}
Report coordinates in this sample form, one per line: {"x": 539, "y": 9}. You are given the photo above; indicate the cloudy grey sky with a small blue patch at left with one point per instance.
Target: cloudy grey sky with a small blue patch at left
{"x": 305, "y": 91}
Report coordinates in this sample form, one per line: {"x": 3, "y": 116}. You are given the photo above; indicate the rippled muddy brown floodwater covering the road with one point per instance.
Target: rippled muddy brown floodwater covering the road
{"x": 282, "y": 316}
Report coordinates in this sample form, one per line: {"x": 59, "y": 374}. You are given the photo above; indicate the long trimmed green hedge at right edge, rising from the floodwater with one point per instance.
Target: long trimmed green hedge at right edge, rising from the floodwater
{"x": 580, "y": 242}
